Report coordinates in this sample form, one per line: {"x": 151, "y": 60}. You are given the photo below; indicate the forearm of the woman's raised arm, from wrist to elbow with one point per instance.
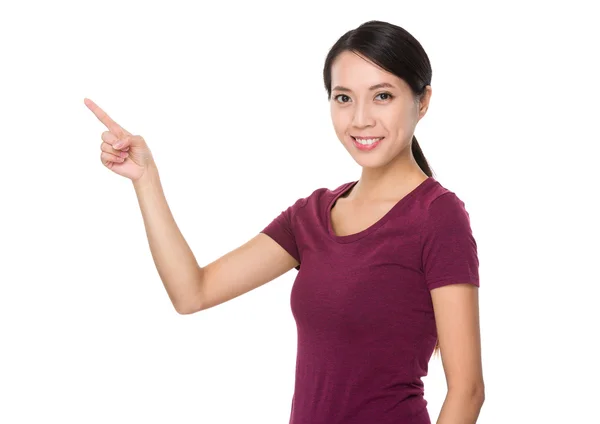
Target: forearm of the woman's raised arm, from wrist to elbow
{"x": 174, "y": 260}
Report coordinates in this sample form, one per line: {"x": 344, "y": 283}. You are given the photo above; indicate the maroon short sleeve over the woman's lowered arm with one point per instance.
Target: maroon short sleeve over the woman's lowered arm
{"x": 449, "y": 250}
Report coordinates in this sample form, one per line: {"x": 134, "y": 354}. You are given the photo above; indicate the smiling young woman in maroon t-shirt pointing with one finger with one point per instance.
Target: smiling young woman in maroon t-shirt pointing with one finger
{"x": 387, "y": 265}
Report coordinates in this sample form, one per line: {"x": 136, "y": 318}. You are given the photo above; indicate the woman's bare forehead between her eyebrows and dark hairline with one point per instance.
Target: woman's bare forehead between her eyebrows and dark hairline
{"x": 356, "y": 72}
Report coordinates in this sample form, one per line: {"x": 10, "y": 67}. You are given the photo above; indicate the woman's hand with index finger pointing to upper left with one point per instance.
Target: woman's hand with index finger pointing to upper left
{"x": 123, "y": 153}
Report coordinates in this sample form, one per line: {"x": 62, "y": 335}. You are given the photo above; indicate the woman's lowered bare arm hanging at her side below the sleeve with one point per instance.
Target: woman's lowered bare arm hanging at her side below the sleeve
{"x": 456, "y": 308}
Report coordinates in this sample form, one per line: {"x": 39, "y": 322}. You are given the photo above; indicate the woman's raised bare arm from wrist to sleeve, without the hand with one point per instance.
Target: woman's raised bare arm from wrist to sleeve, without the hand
{"x": 190, "y": 287}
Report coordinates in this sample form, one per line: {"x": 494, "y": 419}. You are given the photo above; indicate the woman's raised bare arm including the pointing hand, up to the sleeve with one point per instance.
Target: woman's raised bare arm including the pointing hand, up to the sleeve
{"x": 190, "y": 287}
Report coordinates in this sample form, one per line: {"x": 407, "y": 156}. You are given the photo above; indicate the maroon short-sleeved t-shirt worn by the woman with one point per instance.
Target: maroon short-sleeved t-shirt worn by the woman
{"x": 362, "y": 304}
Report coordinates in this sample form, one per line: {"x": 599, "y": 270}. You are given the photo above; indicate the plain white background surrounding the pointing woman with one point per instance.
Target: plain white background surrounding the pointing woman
{"x": 230, "y": 98}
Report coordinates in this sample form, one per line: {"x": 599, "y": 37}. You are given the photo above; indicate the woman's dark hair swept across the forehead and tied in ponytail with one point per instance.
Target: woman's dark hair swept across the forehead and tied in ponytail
{"x": 393, "y": 49}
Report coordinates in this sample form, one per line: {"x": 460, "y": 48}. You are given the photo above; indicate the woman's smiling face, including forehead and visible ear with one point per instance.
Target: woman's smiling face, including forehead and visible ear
{"x": 374, "y": 112}
